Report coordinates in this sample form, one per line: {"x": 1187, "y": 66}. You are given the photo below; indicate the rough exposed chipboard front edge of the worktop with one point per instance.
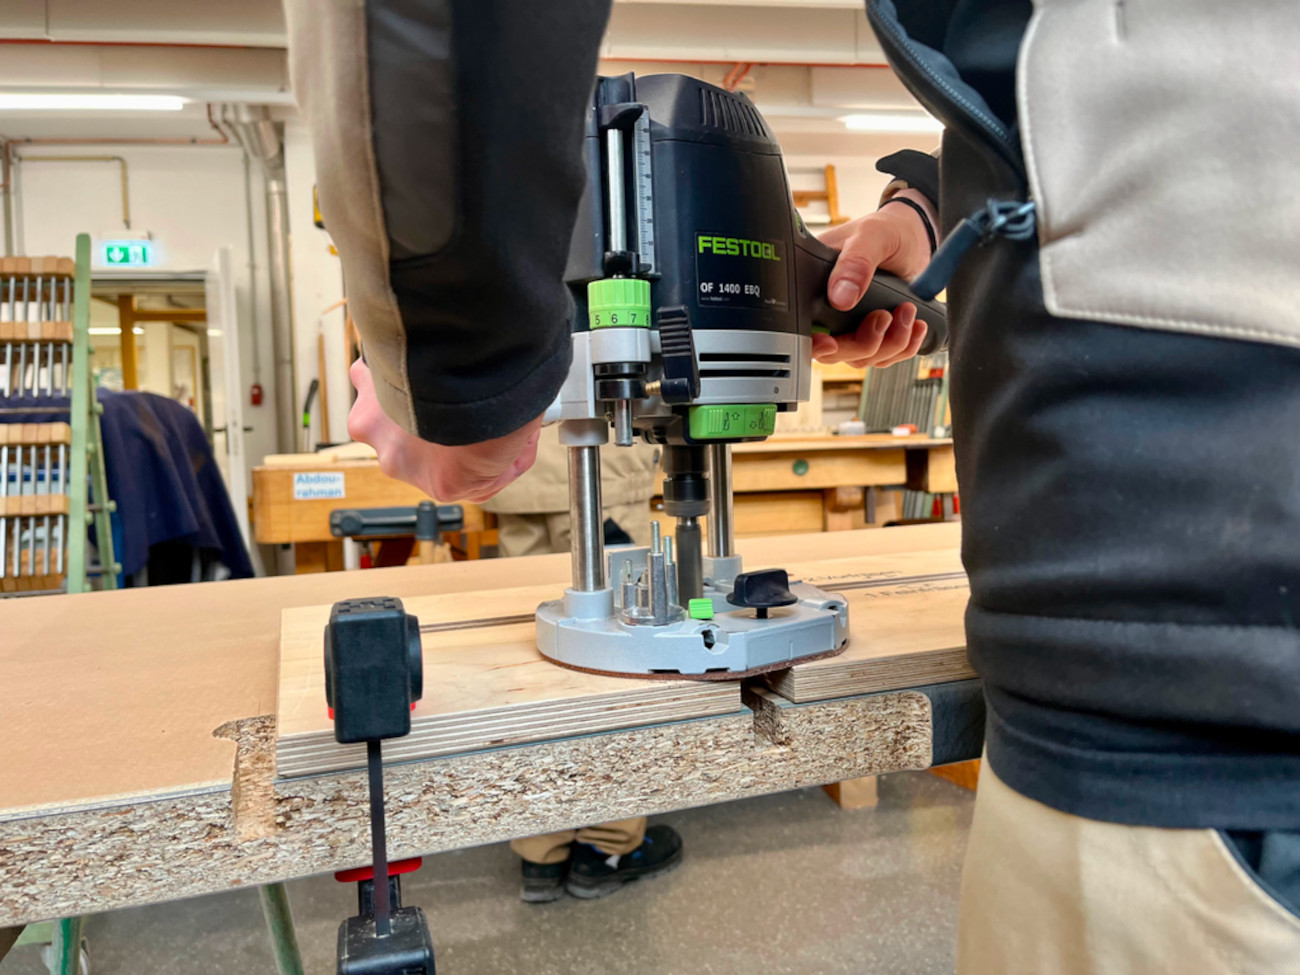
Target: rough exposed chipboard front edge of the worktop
{"x": 98, "y": 857}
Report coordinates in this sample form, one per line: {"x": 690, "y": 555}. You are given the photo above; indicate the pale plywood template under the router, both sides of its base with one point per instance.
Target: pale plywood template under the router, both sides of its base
{"x": 487, "y": 686}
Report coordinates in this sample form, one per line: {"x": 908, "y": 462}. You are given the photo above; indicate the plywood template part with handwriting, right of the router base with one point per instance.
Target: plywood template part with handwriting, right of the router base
{"x": 905, "y": 627}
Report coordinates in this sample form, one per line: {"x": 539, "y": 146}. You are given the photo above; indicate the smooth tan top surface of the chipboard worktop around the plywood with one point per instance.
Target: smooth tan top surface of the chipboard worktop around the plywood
{"x": 146, "y": 677}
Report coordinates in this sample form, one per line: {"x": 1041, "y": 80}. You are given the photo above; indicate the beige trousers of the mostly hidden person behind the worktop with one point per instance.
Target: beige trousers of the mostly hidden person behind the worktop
{"x": 538, "y": 535}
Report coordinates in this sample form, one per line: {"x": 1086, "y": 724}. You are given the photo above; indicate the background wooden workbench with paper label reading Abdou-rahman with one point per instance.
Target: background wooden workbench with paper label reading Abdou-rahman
{"x": 279, "y": 518}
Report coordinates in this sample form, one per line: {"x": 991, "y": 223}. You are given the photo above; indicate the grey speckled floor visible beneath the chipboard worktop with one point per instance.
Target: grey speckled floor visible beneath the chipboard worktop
{"x": 778, "y": 885}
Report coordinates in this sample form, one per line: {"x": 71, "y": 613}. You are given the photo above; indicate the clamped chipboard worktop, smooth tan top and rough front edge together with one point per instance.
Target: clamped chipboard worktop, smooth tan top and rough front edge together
{"x": 140, "y": 734}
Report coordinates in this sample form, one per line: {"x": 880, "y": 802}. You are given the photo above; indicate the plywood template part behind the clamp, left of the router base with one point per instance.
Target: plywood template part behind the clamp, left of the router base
{"x": 486, "y": 687}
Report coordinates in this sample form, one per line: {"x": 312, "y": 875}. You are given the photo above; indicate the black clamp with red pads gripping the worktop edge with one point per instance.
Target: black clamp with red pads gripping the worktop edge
{"x": 374, "y": 679}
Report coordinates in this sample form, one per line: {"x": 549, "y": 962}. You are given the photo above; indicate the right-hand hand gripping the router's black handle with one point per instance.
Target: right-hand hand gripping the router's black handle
{"x": 894, "y": 240}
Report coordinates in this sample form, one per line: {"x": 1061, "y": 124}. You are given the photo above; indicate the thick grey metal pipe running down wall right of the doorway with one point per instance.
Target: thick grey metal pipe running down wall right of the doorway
{"x": 262, "y": 141}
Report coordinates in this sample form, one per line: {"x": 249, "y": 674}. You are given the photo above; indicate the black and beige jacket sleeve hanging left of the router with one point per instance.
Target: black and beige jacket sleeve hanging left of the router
{"x": 448, "y": 140}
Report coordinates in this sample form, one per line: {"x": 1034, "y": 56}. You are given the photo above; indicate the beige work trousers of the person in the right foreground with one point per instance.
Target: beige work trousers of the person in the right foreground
{"x": 1048, "y": 894}
